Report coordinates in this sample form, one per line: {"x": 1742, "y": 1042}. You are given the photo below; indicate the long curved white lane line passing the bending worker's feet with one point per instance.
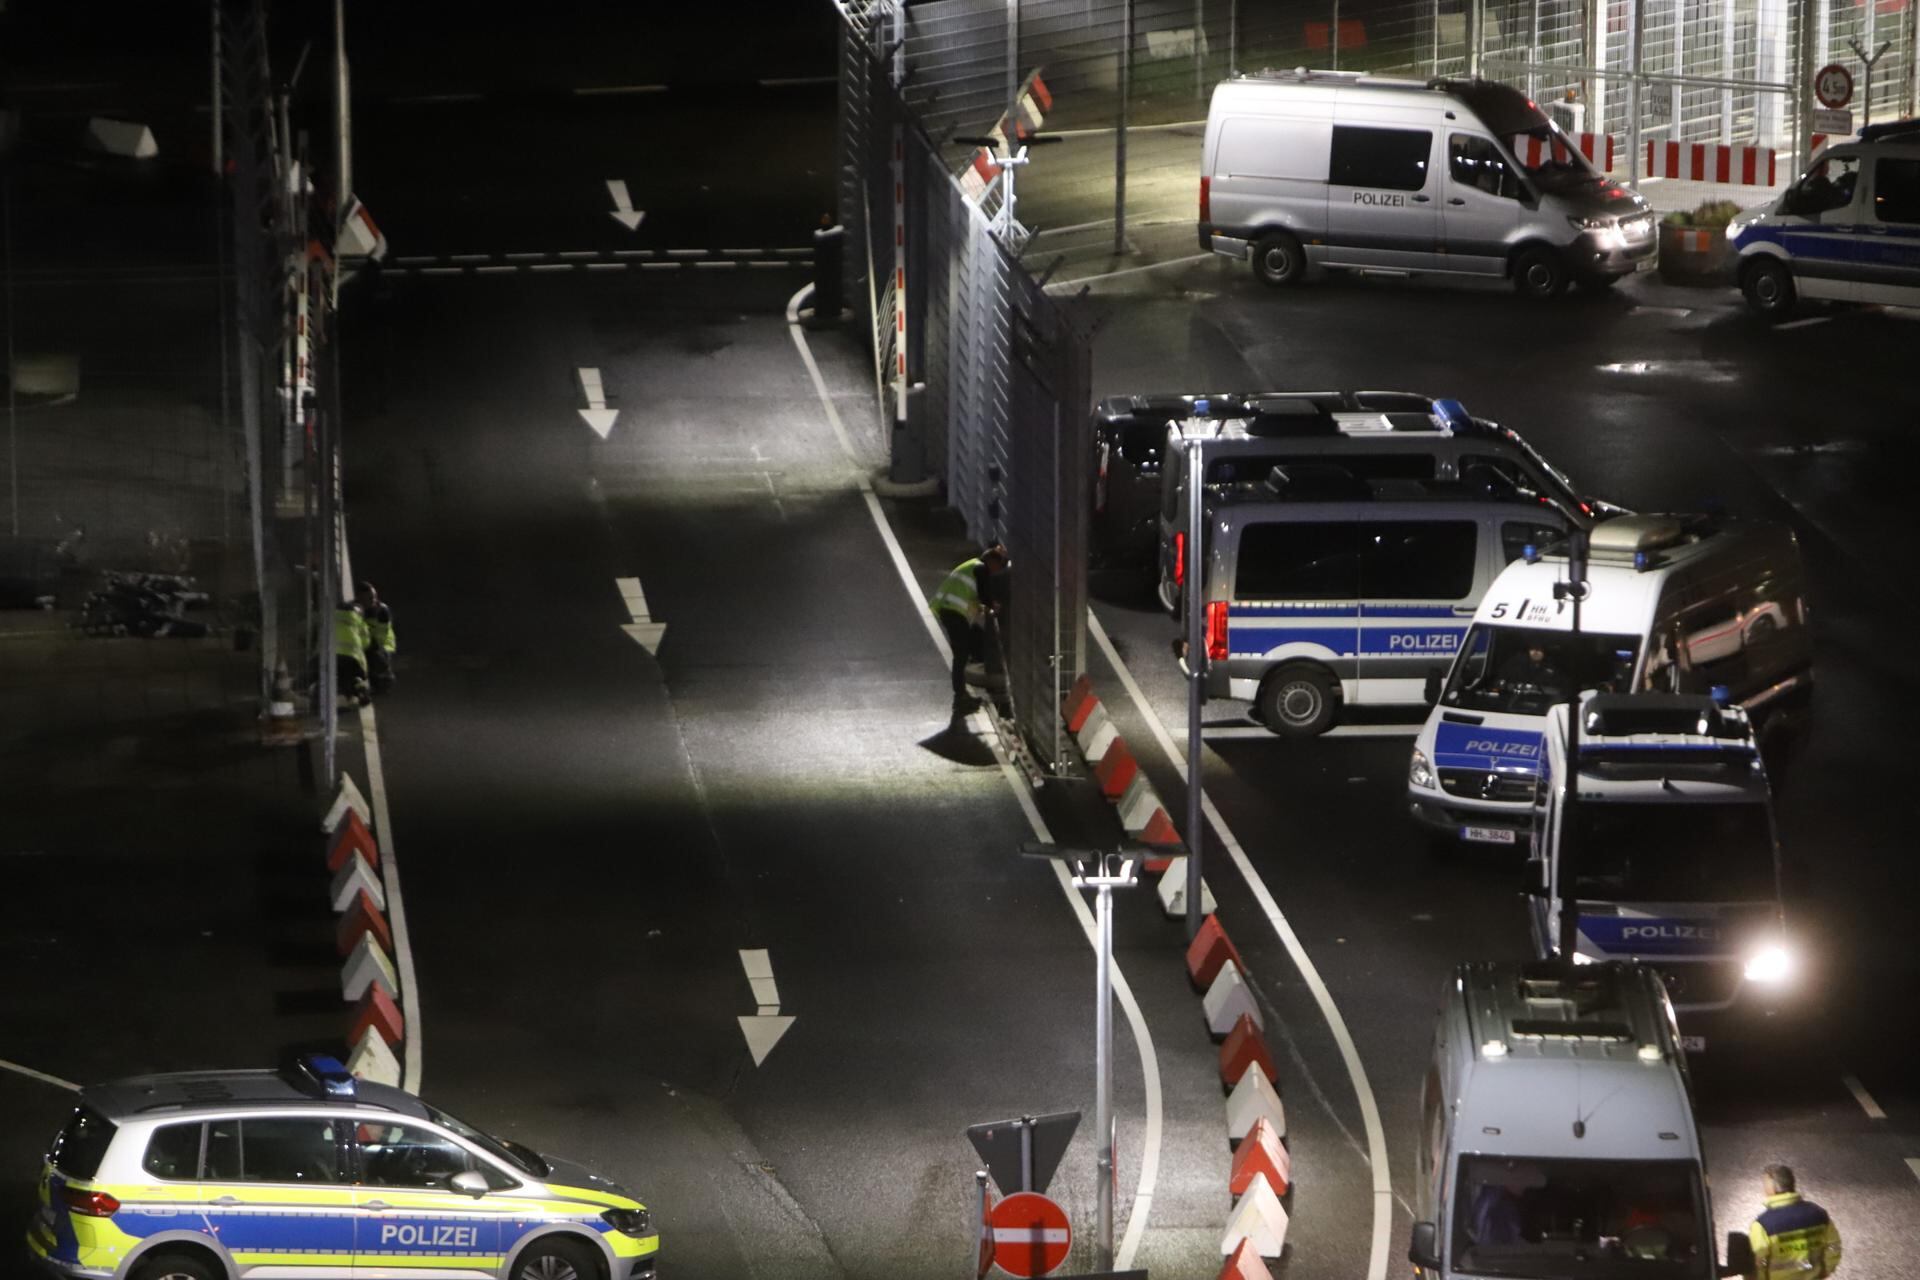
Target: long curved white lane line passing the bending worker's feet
{"x": 1143, "y": 1193}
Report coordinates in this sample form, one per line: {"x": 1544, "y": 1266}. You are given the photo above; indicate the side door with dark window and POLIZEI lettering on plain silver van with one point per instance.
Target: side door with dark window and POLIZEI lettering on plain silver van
{"x": 1381, "y": 208}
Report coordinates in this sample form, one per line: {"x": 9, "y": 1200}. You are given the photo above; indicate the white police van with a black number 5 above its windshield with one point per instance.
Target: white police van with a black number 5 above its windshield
{"x": 1675, "y": 604}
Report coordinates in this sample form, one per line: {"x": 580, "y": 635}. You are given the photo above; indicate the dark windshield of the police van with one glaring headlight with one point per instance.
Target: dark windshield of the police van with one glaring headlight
{"x": 1675, "y": 853}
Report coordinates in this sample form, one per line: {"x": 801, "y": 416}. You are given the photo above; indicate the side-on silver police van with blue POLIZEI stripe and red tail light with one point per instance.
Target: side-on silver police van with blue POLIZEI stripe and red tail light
{"x": 1322, "y": 605}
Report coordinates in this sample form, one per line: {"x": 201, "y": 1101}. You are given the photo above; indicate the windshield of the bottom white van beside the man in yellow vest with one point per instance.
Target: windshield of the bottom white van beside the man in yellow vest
{"x": 1579, "y": 1218}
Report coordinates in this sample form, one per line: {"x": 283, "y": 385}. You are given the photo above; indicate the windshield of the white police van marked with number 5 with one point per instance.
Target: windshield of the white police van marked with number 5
{"x": 1525, "y": 671}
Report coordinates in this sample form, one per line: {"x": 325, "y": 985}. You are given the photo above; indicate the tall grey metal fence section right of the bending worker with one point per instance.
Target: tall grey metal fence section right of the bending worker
{"x": 982, "y": 379}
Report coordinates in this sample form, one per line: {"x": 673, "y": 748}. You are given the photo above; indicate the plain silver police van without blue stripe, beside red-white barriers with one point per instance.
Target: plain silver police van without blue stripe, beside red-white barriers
{"x": 1468, "y": 178}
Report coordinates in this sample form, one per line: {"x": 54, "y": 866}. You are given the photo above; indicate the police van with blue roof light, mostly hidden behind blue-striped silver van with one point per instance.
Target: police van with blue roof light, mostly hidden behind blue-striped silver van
{"x": 1303, "y": 446}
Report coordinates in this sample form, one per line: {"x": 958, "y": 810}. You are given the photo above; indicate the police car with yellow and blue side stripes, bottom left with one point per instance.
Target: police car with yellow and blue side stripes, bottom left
{"x": 218, "y": 1175}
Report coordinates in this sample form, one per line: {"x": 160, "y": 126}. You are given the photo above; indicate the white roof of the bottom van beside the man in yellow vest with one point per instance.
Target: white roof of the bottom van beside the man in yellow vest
{"x": 1575, "y": 1066}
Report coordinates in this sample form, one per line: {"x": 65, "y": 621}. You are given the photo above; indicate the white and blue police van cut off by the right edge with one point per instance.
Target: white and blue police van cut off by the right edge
{"x": 1848, "y": 231}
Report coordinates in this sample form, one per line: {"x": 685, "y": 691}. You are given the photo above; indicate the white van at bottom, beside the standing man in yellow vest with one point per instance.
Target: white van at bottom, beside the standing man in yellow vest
{"x": 1558, "y": 1131}
